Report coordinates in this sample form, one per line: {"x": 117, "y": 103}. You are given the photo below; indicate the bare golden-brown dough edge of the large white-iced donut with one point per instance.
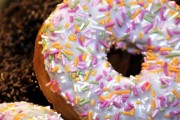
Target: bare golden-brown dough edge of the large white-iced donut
{"x": 58, "y": 102}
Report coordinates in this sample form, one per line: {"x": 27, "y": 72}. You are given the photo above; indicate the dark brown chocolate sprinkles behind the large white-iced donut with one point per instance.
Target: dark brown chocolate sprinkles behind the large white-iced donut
{"x": 19, "y": 25}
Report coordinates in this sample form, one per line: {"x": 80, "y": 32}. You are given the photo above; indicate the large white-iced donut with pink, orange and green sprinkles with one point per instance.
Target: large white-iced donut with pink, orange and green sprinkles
{"x": 72, "y": 69}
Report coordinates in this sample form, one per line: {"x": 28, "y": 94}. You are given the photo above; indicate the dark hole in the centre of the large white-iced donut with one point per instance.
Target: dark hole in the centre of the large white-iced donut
{"x": 125, "y": 63}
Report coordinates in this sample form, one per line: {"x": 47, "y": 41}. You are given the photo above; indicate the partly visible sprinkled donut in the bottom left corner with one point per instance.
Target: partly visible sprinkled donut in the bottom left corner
{"x": 26, "y": 111}
